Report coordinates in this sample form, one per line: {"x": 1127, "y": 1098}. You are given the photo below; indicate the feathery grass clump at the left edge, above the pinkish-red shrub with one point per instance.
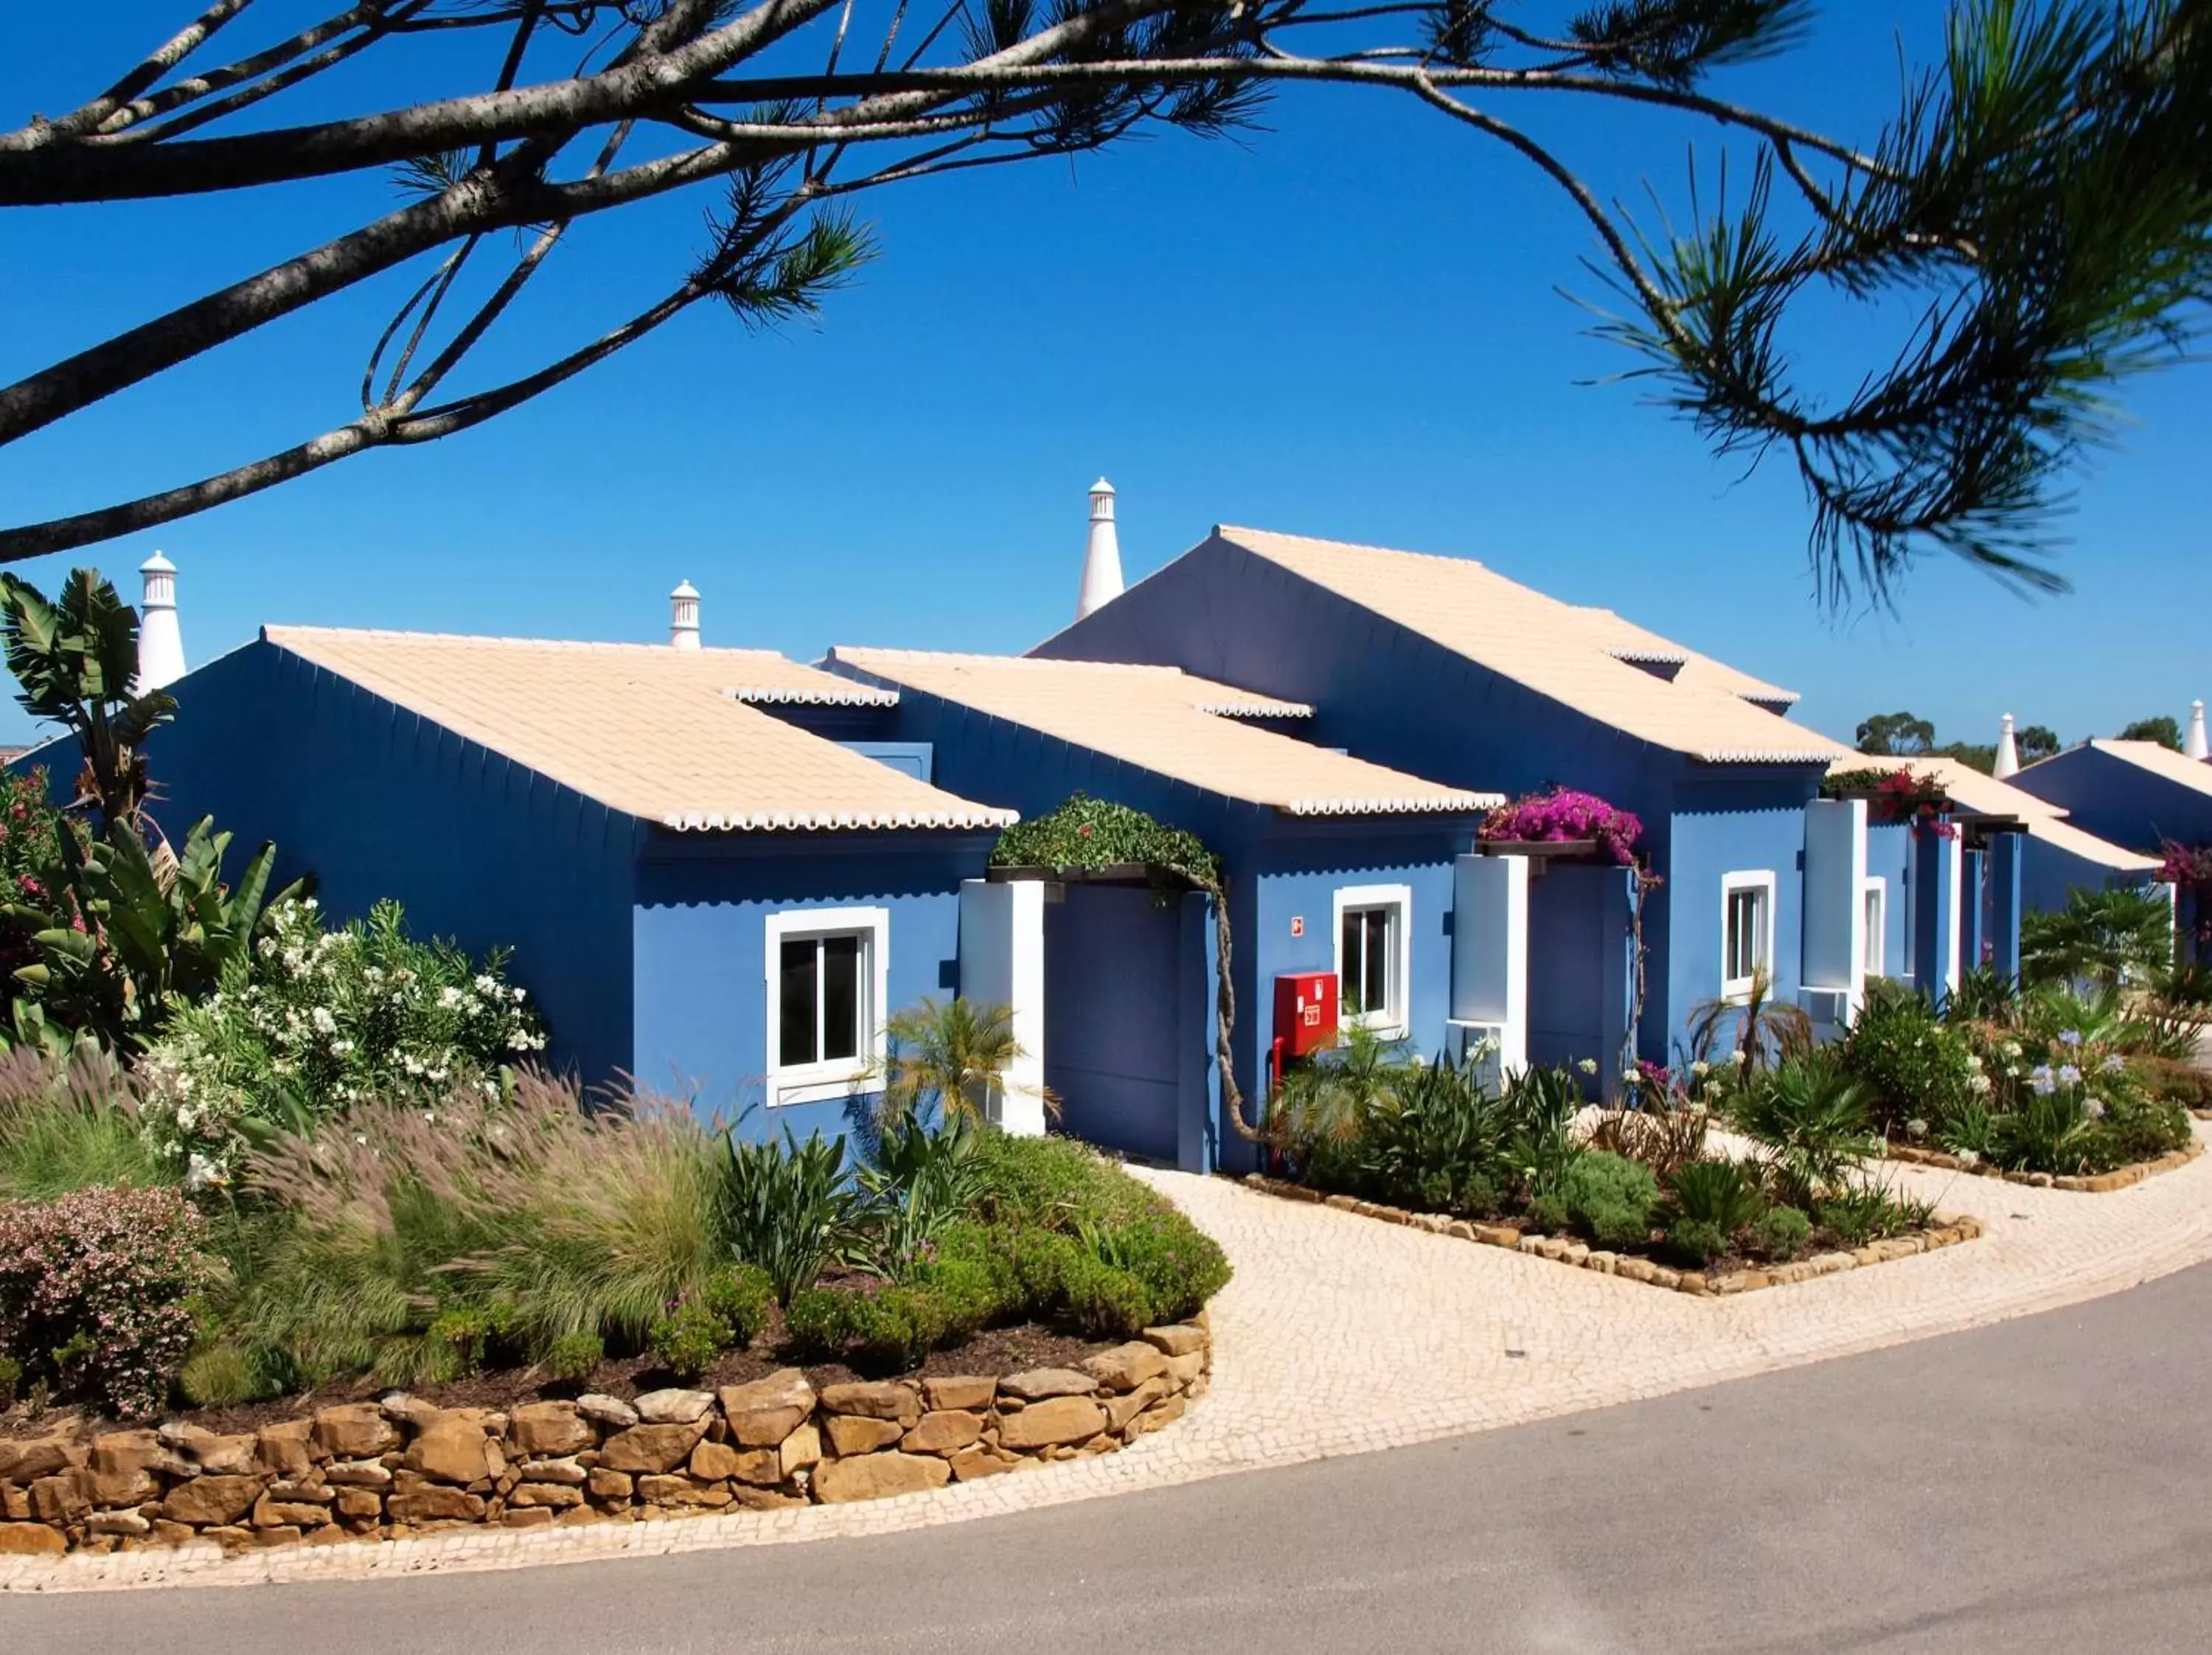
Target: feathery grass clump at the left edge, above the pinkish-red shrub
{"x": 67, "y": 1125}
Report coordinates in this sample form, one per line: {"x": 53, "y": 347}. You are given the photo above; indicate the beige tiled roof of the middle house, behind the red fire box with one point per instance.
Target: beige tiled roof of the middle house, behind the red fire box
{"x": 1162, "y": 720}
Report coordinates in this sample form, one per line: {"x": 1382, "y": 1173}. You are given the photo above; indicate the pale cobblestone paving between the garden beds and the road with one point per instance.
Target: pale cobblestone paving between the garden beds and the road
{"x": 1346, "y": 1335}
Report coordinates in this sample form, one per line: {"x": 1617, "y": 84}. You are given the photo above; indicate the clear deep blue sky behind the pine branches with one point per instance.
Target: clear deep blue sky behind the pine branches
{"x": 1346, "y": 326}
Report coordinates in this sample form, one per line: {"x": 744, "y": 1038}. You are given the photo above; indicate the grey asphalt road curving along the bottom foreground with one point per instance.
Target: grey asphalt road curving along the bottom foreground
{"x": 2023, "y": 1488}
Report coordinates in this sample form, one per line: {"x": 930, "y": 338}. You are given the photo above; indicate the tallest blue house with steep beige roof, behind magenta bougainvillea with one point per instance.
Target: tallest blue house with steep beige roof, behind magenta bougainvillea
{"x": 1448, "y": 669}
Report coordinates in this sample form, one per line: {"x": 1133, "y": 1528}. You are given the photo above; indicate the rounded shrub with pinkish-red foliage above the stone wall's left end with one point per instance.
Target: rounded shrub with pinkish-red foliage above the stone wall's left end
{"x": 96, "y": 1293}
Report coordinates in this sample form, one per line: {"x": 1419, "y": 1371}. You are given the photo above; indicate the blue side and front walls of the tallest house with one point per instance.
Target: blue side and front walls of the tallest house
{"x": 1379, "y": 691}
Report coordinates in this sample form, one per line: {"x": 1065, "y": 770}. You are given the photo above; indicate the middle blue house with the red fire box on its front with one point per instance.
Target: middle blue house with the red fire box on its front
{"x": 1331, "y": 864}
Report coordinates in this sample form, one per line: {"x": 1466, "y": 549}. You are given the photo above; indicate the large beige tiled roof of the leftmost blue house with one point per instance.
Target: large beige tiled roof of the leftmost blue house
{"x": 645, "y": 729}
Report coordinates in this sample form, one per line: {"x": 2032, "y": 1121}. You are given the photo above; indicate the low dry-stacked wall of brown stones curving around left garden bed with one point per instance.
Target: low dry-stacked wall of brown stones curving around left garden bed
{"x": 399, "y": 1466}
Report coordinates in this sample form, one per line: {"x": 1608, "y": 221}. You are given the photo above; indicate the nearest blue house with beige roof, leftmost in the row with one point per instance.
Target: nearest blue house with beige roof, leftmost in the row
{"x": 698, "y": 891}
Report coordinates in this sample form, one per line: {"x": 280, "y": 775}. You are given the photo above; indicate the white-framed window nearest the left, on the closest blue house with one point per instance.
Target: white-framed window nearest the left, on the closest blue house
{"x": 826, "y": 983}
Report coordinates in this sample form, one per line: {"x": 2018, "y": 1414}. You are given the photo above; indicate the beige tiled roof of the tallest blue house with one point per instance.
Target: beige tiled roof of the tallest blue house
{"x": 1556, "y": 649}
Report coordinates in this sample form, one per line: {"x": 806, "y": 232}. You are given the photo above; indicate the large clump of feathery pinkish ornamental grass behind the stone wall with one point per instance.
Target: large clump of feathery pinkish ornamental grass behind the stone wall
{"x": 556, "y": 1220}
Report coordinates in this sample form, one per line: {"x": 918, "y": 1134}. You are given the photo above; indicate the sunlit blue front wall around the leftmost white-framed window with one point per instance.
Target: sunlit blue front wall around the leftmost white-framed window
{"x": 700, "y": 939}
